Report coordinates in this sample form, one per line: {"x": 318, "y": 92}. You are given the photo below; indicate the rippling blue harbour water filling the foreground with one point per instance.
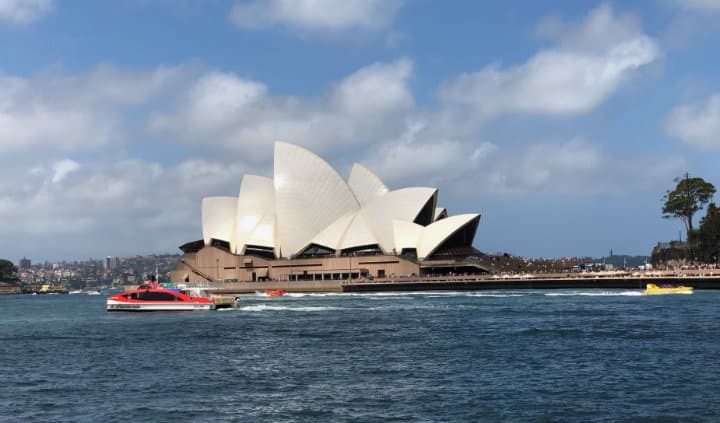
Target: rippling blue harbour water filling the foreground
{"x": 511, "y": 356}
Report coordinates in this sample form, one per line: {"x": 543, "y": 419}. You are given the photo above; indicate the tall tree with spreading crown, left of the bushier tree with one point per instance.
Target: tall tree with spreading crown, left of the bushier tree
{"x": 689, "y": 196}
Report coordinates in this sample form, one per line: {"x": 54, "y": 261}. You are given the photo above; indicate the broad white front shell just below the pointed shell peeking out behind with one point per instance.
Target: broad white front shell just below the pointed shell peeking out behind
{"x": 403, "y": 204}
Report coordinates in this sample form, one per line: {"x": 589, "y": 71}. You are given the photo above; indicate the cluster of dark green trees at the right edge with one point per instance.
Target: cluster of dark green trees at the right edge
{"x": 689, "y": 197}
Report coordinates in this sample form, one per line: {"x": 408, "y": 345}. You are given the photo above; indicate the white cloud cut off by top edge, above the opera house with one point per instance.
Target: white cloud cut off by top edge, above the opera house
{"x": 315, "y": 15}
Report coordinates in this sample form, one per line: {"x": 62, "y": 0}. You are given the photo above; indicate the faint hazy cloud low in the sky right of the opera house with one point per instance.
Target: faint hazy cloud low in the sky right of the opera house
{"x": 572, "y": 168}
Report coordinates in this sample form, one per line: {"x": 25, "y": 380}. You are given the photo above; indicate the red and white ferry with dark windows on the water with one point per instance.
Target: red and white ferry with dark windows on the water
{"x": 150, "y": 296}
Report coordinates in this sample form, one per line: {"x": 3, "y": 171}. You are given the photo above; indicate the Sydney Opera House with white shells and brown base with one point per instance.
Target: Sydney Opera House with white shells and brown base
{"x": 308, "y": 223}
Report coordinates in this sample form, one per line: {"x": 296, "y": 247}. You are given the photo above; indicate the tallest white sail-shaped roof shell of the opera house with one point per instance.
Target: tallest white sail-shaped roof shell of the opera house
{"x": 309, "y": 196}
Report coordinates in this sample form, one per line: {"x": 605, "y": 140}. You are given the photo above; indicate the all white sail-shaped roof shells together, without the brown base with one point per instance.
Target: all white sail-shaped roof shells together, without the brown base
{"x": 307, "y": 202}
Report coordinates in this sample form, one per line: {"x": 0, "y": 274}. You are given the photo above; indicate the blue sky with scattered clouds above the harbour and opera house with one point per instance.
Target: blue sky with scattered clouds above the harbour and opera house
{"x": 563, "y": 123}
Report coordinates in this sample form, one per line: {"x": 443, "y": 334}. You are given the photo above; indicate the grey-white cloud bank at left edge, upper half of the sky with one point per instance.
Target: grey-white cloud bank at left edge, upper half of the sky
{"x": 67, "y": 112}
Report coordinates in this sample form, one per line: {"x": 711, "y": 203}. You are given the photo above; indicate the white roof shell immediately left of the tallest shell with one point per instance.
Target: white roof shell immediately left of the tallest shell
{"x": 255, "y": 213}
